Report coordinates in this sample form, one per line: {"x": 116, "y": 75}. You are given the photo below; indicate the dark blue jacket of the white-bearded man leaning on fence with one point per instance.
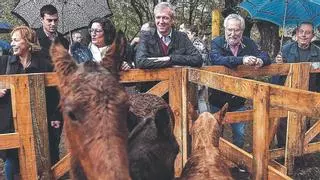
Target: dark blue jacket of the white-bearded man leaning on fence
{"x": 222, "y": 55}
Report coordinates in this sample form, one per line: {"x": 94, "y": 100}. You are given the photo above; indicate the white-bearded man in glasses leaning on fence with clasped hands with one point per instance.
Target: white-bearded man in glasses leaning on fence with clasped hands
{"x": 232, "y": 50}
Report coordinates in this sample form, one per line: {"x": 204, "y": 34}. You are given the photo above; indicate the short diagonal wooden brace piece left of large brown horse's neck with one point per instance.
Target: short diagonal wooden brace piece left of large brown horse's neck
{"x": 61, "y": 167}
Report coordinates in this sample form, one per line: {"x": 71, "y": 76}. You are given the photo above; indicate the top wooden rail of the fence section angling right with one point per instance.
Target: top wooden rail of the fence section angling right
{"x": 301, "y": 101}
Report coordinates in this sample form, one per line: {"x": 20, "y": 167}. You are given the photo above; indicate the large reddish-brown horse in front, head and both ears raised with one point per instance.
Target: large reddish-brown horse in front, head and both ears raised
{"x": 95, "y": 108}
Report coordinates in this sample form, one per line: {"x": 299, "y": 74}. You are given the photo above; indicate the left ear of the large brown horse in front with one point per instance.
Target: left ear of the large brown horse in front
{"x": 64, "y": 64}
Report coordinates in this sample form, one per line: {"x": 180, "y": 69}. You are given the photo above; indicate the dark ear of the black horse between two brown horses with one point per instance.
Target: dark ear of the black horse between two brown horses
{"x": 162, "y": 120}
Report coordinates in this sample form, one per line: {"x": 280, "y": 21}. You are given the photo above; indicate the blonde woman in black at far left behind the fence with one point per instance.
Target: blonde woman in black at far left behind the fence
{"x": 25, "y": 59}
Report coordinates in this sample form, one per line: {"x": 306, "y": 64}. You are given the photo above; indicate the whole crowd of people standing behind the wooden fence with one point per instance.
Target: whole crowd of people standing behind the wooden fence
{"x": 159, "y": 45}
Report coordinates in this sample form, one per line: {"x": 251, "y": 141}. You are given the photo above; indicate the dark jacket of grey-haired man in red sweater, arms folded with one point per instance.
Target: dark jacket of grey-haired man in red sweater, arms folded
{"x": 181, "y": 51}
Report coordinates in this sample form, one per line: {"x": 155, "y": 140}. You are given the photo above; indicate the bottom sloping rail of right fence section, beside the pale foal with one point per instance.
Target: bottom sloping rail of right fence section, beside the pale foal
{"x": 239, "y": 156}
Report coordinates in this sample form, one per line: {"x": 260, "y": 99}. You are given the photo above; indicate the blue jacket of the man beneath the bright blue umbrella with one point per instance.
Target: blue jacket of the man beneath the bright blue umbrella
{"x": 290, "y": 54}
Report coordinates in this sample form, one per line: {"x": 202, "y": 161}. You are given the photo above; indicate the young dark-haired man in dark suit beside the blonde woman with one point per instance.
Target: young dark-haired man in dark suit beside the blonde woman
{"x": 46, "y": 35}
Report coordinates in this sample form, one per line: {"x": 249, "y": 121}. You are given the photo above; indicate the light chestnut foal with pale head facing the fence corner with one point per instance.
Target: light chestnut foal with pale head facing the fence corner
{"x": 205, "y": 161}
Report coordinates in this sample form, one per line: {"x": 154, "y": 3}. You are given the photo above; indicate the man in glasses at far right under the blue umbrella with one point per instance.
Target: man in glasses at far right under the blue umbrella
{"x": 302, "y": 50}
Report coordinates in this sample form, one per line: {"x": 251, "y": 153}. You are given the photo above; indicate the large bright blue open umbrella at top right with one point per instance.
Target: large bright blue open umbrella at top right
{"x": 284, "y": 12}
